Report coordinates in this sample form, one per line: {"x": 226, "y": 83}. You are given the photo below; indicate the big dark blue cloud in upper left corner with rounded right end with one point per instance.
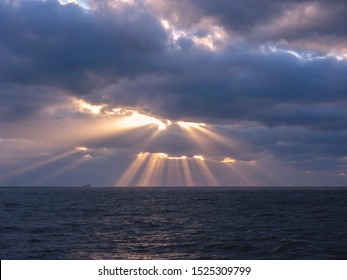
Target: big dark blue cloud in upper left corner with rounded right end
{"x": 45, "y": 43}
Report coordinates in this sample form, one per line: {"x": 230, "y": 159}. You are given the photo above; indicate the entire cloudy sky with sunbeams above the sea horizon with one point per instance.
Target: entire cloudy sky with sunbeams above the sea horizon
{"x": 173, "y": 93}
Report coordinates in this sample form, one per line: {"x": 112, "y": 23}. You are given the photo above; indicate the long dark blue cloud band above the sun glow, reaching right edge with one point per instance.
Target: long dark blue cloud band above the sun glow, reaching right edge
{"x": 273, "y": 88}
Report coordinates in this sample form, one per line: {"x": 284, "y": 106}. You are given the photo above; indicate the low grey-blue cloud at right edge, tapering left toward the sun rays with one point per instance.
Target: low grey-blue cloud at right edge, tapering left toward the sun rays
{"x": 297, "y": 144}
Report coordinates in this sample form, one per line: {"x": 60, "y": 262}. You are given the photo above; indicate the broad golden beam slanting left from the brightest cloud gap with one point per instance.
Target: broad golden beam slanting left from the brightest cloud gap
{"x": 104, "y": 122}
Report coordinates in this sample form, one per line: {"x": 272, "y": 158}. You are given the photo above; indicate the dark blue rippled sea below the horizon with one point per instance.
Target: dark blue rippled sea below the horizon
{"x": 173, "y": 223}
